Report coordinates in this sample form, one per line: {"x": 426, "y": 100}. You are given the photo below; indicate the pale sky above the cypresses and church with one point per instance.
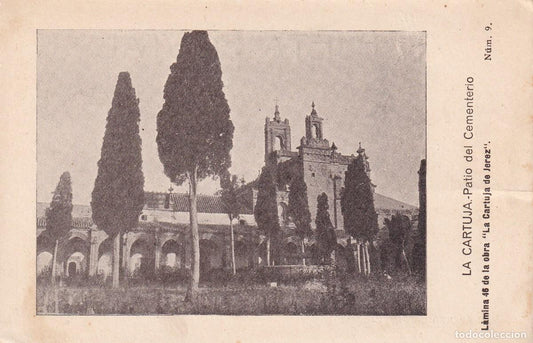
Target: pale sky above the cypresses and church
{"x": 368, "y": 86}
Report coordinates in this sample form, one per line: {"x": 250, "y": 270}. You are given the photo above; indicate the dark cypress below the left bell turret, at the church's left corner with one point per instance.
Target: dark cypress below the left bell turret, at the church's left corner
{"x": 266, "y": 208}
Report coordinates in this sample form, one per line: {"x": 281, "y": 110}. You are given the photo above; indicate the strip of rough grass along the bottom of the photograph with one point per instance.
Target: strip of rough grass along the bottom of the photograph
{"x": 349, "y": 296}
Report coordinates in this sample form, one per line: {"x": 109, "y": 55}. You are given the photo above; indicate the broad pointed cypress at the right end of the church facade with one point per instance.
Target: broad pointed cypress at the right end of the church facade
{"x": 357, "y": 204}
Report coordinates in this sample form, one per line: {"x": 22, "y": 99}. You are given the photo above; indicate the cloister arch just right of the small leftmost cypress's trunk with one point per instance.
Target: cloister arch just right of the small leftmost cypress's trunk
{"x": 75, "y": 253}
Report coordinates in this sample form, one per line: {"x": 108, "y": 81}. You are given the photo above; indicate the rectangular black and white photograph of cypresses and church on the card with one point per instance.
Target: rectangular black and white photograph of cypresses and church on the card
{"x": 189, "y": 172}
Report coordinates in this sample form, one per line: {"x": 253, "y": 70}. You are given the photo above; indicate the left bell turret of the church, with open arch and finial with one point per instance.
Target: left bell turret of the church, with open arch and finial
{"x": 277, "y": 135}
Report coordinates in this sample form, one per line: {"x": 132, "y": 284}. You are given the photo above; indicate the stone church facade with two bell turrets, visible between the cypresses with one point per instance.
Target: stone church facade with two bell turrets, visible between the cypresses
{"x": 324, "y": 170}
